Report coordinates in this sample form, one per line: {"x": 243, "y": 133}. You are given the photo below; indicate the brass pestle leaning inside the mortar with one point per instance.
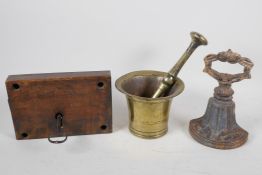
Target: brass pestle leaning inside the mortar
{"x": 169, "y": 80}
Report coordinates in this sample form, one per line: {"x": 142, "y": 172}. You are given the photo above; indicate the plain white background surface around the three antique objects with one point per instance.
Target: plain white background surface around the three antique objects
{"x": 122, "y": 36}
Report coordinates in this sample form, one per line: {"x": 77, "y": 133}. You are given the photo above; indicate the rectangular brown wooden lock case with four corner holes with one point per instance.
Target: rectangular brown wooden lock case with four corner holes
{"x": 81, "y": 100}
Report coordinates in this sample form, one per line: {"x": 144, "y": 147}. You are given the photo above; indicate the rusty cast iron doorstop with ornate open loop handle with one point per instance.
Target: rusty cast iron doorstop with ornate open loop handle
{"x": 218, "y": 127}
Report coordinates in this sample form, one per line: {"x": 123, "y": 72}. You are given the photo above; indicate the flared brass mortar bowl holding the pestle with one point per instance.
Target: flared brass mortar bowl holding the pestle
{"x": 148, "y": 117}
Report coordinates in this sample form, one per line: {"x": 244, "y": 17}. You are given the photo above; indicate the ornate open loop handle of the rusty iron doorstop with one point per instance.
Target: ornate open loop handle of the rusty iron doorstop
{"x": 232, "y": 58}
